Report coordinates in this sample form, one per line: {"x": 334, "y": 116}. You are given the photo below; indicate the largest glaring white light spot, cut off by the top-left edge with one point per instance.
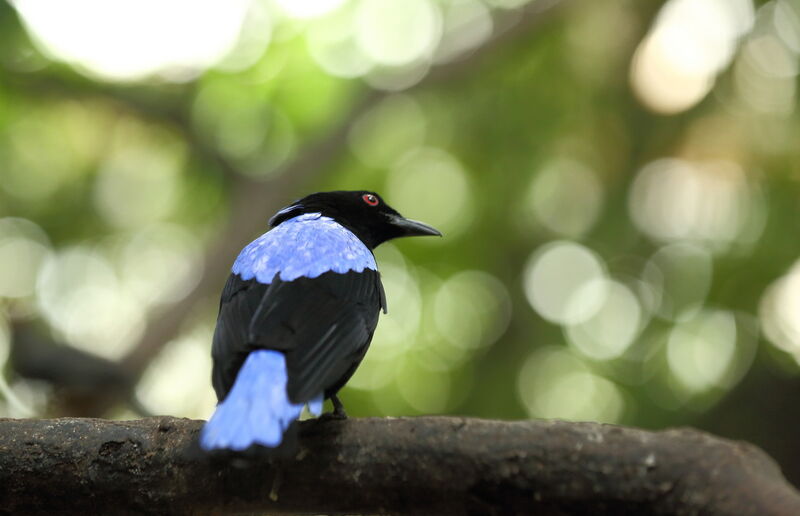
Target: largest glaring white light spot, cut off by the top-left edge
{"x": 139, "y": 38}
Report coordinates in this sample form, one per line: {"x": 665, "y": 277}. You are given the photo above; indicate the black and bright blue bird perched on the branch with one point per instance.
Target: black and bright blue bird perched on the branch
{"x": 297, "y": 315}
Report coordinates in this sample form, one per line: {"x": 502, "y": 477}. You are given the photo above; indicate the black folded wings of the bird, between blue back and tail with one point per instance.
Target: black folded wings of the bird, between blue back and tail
{"x": 323, "y": 324}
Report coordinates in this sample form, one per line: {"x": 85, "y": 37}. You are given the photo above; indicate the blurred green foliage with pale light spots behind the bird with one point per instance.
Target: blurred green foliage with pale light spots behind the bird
{"x": 619, "y": 201}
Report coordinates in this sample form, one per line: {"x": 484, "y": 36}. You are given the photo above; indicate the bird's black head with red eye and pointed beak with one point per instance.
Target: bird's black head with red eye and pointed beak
{"x": 362, "y": 212}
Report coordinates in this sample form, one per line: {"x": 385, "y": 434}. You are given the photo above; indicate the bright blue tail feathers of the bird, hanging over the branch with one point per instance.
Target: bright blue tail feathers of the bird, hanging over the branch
{"x": 257, "y": 409}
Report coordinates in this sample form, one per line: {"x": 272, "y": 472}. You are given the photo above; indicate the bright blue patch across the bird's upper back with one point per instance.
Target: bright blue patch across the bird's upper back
{"x": 304, "y": 246}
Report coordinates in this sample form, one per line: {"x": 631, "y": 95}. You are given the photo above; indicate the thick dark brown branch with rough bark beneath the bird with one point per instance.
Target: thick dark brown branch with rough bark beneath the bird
{"x": 429, "y": 465}
